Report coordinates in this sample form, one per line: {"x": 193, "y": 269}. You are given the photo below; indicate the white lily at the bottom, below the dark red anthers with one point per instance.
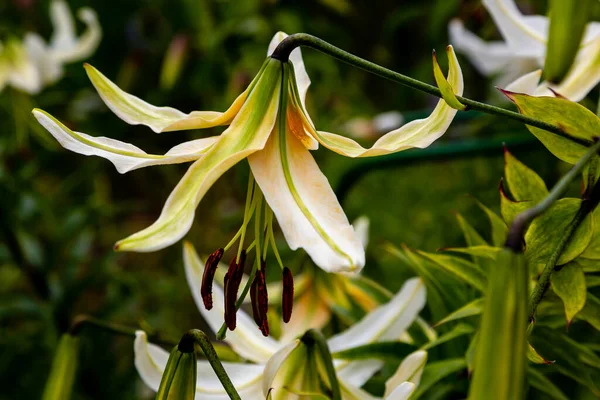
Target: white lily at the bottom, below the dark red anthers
{"x": 266, "y": 355}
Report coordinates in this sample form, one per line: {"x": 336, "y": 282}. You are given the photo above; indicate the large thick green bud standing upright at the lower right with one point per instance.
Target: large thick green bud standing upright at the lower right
{"x": 500, "y": 363}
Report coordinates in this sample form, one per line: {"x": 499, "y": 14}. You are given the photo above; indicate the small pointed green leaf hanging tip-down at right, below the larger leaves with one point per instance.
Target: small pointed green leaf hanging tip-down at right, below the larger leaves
{"x": 569, "y": 284}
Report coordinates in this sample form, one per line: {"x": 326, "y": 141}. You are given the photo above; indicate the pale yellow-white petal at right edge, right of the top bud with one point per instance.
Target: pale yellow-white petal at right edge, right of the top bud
{"x": 583, "y": 76}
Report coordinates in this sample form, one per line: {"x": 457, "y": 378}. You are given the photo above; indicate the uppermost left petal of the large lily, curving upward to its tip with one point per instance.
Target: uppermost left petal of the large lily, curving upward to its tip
{"x": 135, "y": 111}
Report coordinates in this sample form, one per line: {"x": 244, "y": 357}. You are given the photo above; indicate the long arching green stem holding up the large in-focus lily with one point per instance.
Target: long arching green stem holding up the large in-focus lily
{"x": 283, "y": 50}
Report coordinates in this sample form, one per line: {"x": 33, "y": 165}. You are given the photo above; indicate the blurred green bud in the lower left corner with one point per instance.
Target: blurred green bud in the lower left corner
{"x": 64, "y": 366}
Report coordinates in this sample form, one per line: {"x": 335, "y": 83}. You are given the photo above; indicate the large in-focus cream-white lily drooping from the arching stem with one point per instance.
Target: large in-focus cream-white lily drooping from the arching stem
{"x": 269, "y": 126}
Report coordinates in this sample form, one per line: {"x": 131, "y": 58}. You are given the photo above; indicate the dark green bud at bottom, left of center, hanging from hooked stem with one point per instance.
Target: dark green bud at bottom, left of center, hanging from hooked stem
{"x": 179, "y": 378}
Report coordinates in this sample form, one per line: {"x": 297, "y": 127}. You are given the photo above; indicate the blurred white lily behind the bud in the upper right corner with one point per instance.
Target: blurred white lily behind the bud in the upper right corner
{"x": 518, "y": 58}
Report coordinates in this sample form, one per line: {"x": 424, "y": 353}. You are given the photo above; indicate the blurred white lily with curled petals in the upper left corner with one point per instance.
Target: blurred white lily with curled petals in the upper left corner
{"x": 32, "y": 64}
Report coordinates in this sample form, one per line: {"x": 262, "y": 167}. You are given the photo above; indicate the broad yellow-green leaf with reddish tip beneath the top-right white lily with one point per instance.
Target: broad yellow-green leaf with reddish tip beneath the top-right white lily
{"x": 573, "y": 119}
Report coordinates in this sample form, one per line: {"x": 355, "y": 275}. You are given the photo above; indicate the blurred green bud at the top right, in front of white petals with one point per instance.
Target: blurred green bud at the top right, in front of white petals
{"x": 568, "y": 20}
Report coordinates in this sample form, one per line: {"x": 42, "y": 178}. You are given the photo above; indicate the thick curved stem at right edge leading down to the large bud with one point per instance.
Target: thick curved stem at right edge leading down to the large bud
{"x": 517, "y": 229}
